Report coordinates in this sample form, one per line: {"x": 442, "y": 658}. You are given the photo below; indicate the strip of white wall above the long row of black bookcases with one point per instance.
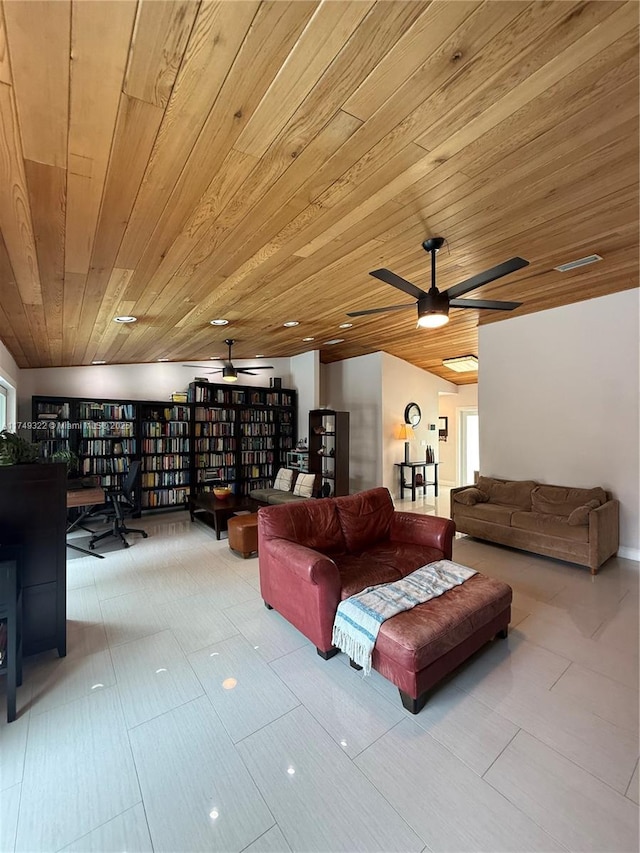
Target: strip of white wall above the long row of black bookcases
{"x": 131, "y": 381}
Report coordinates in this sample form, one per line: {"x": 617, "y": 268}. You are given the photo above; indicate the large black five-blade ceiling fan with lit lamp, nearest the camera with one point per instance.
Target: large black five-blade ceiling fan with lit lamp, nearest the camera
{"x": 433, "y": 306}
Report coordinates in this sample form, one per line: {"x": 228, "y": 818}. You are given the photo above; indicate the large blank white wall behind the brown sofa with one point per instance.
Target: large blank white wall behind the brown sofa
{"x": 558, "y": 401}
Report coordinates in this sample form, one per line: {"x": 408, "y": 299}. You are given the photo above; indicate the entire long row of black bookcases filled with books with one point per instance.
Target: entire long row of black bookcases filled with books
{"x": 238, "y": 434}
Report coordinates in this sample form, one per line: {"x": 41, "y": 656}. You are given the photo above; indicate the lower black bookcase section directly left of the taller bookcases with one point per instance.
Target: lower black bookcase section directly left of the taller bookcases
{"x": 165, "y": 454}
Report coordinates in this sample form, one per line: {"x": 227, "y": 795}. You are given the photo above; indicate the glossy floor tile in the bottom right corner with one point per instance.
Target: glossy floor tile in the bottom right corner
{"x": 594, "y": 817}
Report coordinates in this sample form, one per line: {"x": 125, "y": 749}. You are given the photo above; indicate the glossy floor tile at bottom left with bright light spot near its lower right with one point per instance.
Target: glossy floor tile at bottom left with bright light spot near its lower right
{"x": 198, "y": 794}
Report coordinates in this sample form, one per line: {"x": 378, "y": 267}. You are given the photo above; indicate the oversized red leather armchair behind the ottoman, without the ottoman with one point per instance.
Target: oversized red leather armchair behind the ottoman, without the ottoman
{"x": 315, "y": 553}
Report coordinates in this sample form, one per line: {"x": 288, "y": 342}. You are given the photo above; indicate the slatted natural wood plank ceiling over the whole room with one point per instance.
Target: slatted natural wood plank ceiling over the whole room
{"x": 181, "y": 161}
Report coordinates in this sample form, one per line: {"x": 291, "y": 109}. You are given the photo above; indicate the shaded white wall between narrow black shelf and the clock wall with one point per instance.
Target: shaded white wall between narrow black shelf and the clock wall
{"x": 355, "y": 386}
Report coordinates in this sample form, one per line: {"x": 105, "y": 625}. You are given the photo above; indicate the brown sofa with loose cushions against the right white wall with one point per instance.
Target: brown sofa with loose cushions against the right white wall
{"x": 577, "y": 525}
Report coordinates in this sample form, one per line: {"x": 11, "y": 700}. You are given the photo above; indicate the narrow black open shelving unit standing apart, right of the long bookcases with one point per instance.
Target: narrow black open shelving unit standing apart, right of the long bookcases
{"x": 329, "y": 449}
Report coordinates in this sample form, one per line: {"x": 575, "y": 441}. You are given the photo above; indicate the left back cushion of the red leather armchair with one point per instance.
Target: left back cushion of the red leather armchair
{"x": 311, "y": 523}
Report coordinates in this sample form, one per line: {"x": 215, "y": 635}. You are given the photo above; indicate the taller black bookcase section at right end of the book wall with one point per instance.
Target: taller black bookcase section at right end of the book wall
{"x": 241, "y": 433}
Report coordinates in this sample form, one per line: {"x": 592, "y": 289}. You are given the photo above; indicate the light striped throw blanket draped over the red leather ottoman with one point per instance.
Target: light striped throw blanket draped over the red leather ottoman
{"x": 358, "y": 619}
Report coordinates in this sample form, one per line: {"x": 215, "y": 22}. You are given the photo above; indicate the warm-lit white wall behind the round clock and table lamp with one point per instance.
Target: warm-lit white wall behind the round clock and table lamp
{"x": 403, "y": 383}
